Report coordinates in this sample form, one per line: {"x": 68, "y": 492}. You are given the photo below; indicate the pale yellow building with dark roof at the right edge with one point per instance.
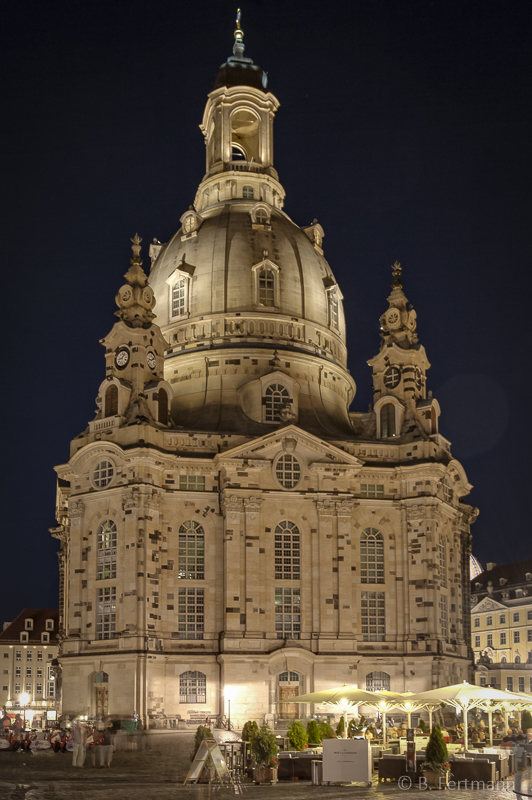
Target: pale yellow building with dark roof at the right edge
{"x": 501, "y": 626}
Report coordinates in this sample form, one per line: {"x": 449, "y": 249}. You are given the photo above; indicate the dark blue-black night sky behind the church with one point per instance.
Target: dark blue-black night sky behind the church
{"x": 404, "y": 128}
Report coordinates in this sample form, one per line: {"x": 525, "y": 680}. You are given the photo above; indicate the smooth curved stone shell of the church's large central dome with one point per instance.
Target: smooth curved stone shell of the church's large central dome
{"x": 218, "y": 263}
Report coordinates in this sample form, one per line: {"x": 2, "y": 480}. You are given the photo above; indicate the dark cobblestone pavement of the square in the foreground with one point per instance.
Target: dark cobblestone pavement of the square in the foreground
{"x": 158, "y": 774}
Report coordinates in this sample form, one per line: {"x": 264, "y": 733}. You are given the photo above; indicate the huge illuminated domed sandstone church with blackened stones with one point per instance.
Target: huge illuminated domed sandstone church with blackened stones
{"x": 228, "y": 528}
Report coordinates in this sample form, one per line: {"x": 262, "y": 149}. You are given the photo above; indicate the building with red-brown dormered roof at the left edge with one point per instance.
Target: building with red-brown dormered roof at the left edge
{"x": 28, "y": 648}
